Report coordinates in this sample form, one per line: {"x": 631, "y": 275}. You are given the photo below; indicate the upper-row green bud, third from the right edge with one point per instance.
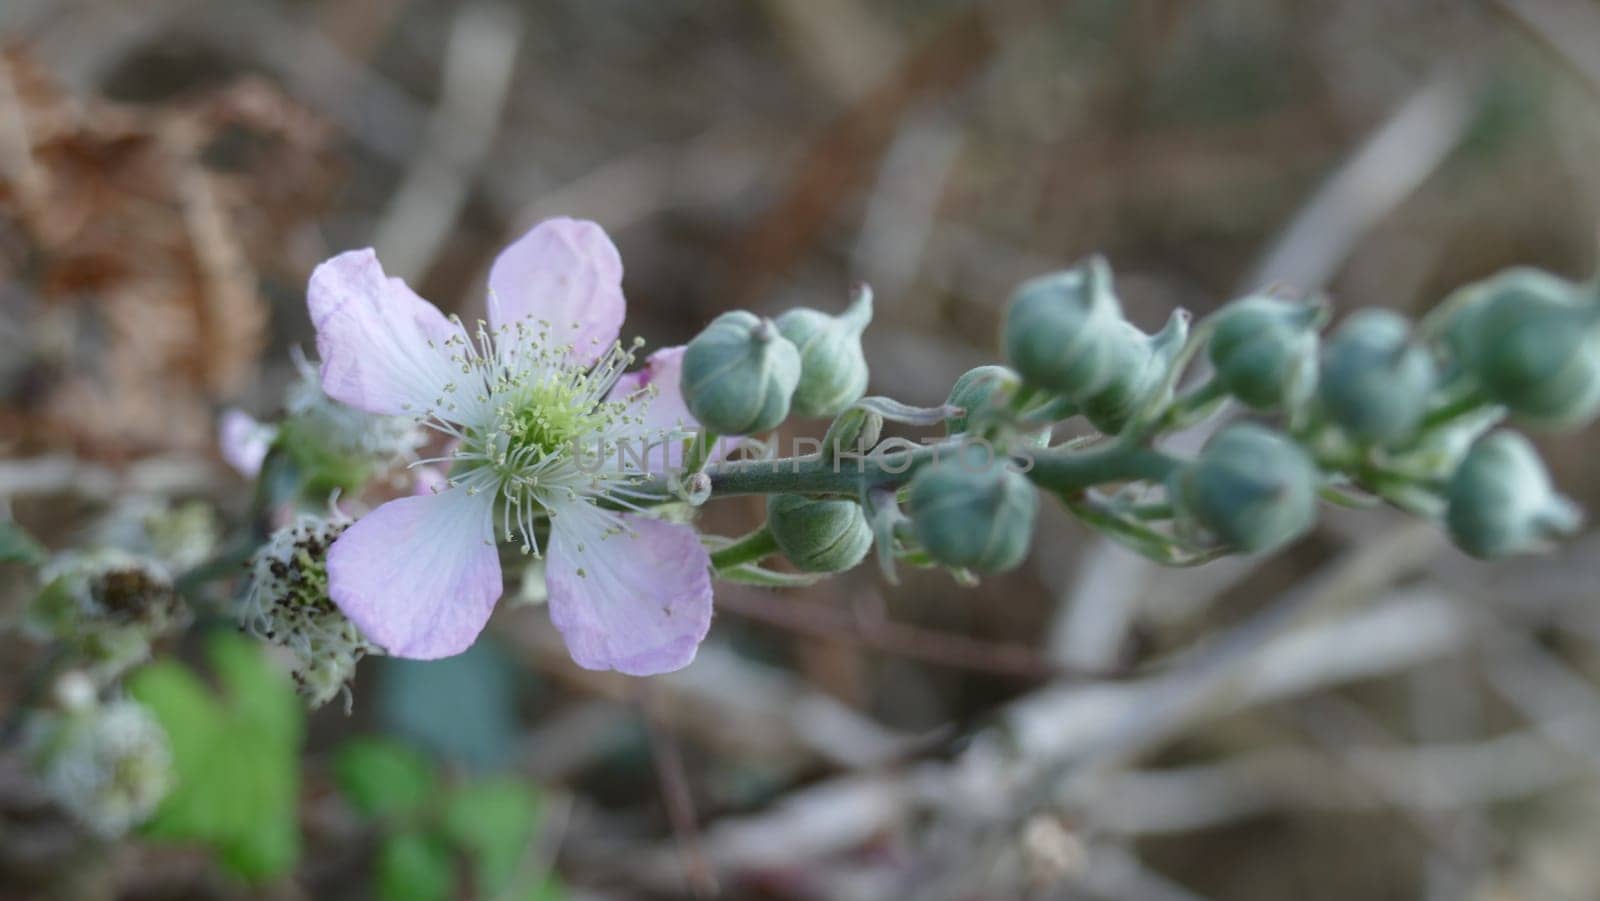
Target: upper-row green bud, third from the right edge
{"x": 1265, "y": 351}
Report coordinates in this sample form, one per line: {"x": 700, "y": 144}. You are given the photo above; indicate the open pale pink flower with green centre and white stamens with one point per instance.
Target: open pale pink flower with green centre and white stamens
{"x": 519, "y": 401}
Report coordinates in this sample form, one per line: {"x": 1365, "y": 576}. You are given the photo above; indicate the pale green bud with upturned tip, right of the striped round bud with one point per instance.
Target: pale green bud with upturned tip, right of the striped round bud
{"x": 833, "y": 369}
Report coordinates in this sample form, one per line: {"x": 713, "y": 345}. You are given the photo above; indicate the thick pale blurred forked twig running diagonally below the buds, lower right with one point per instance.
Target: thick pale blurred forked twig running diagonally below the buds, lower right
{"x": 1006, "y": 771}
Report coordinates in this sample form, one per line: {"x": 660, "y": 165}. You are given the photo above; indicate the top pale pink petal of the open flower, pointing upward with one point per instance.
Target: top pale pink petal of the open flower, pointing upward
{"x": 569, "y": 274}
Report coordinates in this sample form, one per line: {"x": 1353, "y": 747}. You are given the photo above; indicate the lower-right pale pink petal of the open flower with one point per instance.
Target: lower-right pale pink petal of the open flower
{"x": 636, "y": 603}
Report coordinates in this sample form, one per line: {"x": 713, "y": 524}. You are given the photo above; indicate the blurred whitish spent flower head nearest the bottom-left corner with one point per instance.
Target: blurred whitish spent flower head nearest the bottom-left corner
{"x": 105, "y": 763}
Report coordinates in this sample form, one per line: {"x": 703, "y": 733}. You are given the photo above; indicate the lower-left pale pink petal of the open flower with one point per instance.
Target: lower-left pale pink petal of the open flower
{"x": 420, "y": 577}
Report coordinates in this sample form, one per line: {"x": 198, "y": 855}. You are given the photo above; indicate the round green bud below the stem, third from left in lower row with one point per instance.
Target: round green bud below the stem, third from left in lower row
{"x": 1250, "y": 487}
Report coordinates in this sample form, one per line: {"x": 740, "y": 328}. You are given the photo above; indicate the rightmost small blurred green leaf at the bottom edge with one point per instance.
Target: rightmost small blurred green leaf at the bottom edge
{"x": 495, "y": 822}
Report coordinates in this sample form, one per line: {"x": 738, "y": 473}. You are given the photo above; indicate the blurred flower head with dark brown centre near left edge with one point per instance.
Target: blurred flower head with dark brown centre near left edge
{"x": 110, "y": 607}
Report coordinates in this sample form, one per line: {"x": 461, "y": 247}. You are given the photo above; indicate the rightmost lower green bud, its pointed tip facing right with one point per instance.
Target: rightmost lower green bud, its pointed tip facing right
{"x": 1502, "y": 500}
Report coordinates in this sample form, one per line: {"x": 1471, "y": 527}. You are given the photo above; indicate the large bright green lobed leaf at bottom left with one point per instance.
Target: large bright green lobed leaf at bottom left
{"x": 236, "y": 758}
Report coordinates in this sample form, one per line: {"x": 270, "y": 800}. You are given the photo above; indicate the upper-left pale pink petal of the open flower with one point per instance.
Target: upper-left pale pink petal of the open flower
{"x": 382, "y": 346}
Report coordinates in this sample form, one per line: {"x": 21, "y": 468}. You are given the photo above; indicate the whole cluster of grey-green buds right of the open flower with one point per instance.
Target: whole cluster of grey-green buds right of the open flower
{"x": 1382, "y": 407}
